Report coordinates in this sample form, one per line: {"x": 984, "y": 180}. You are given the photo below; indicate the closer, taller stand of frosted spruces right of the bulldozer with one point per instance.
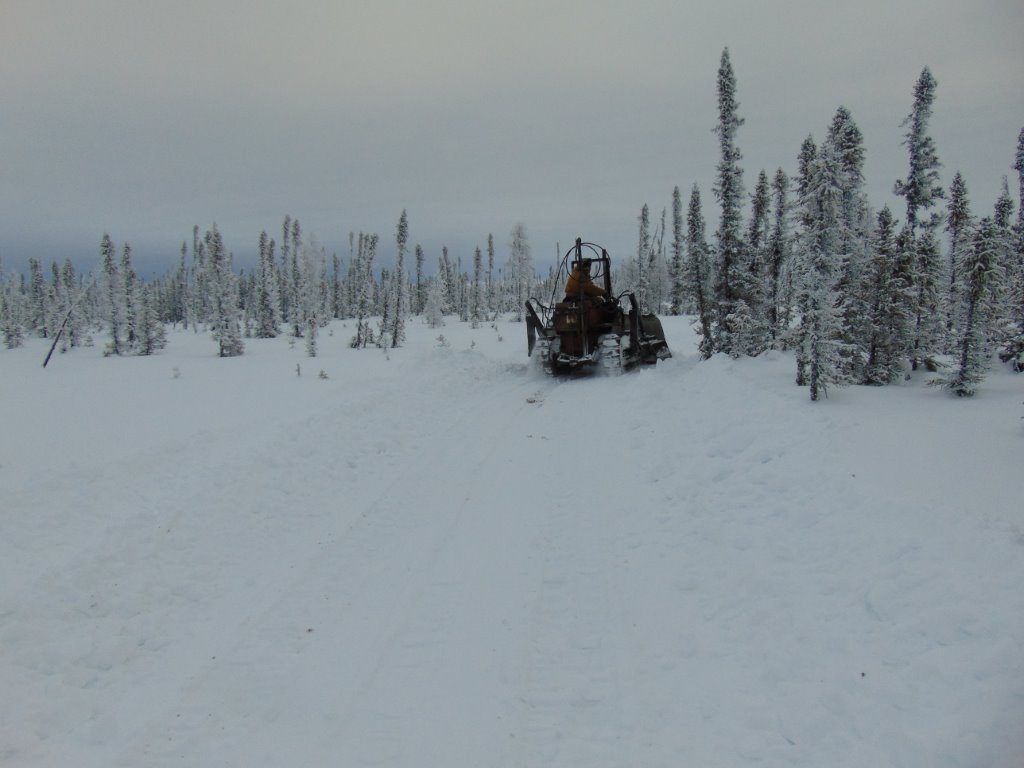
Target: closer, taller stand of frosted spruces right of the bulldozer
{"x": 860, "y": 296}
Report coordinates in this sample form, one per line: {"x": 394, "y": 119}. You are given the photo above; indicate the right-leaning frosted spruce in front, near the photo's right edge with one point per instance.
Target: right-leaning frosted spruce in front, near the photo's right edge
{"x": 980, "y": 277}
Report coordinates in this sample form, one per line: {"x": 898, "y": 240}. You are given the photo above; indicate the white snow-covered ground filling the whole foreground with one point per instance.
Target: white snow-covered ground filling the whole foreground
{"x": 438, "y": 557}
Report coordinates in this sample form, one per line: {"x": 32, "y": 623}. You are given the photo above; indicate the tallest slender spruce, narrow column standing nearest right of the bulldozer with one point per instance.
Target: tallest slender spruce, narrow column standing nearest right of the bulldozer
{"x": 733, "y": 313}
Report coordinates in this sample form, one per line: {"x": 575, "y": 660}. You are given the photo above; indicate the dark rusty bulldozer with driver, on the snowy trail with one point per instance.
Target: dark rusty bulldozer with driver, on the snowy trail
{"x": 591, "y": 326}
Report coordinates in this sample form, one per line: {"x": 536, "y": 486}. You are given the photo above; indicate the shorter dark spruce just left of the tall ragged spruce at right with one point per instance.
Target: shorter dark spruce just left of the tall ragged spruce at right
{"x": 889, "y": 307}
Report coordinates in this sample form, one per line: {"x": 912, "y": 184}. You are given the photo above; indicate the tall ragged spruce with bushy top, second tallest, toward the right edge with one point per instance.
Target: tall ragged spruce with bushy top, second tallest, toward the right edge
{"x": 922, "y": 191}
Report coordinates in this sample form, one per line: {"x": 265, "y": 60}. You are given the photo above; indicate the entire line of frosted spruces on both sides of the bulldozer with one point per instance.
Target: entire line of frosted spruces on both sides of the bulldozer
{"x": 803, "y": 264}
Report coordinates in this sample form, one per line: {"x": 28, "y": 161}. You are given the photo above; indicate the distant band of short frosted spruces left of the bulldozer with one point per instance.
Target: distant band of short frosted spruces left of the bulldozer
{"x": 294, "y": 289}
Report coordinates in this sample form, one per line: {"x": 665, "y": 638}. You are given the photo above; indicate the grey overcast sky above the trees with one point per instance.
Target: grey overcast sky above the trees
{"x": 143, "y": 118}
